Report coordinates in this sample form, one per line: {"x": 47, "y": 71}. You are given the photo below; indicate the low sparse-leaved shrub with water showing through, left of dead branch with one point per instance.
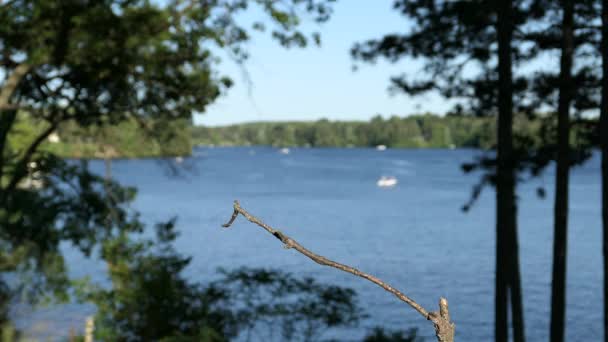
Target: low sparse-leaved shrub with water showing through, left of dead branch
{"x": 276, "y": 304}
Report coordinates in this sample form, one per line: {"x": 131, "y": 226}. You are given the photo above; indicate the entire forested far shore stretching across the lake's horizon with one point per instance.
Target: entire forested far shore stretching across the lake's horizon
{"x": 150, "y": 139}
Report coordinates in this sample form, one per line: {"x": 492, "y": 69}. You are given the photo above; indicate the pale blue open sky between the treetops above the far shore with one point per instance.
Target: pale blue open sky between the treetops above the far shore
{"x": 313, "y": 83}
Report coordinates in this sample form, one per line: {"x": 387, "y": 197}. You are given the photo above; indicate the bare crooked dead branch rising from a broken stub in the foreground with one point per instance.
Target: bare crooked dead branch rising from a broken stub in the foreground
{"x": 444, "y": 328}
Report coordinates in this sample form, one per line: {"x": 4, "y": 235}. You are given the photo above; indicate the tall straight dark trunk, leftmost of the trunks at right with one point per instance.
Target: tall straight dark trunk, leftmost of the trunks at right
{"x": 504, "y": 172}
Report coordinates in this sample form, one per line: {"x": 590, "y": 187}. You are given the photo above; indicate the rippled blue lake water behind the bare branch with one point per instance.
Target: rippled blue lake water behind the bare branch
{"x": 414, "y": 236}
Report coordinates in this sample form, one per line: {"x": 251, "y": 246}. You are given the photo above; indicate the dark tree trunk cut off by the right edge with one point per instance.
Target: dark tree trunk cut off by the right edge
{"x": 604, "y": 148}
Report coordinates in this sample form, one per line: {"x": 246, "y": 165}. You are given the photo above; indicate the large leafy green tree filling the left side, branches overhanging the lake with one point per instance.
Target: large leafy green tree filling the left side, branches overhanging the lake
{"x": 89, "y": 66}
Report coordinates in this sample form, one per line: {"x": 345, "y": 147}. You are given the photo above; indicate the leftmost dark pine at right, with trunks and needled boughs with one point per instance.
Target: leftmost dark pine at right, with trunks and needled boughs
{"x": 469, "y": 49}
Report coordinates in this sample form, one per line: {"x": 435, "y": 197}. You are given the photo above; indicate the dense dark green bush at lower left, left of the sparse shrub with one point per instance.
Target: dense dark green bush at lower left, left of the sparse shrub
{"x": 150, "y": 299}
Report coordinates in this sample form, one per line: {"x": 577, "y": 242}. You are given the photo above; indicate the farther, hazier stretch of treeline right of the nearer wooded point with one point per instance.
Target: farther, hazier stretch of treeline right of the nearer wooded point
{"x": 416, "y": 131}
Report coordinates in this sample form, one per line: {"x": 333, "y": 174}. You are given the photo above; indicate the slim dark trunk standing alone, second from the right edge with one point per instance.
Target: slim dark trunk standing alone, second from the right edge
{"x": 558, "y": 290}
